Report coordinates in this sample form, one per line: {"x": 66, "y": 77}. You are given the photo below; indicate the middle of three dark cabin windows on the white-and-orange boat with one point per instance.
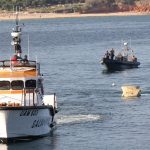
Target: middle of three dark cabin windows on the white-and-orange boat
{"x": 17, "y": 85}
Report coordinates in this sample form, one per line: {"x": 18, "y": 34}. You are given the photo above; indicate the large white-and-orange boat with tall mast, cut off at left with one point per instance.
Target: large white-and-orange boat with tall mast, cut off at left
{"x": 25, "y": 111}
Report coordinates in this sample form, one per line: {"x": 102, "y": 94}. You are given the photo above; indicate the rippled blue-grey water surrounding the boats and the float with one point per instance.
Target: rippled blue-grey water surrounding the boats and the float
{"x": 93, "y": 115}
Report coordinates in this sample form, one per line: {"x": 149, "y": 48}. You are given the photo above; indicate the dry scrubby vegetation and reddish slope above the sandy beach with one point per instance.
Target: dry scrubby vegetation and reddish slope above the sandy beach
{"x": 81, "y": 6}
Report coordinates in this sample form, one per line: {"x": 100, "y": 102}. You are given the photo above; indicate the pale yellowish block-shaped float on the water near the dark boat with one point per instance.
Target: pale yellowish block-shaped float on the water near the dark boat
{"x": 131, "y": 91}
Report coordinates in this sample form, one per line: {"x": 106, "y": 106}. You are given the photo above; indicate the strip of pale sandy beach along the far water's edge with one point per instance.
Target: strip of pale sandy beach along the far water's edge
{"x": 26, "y": 15}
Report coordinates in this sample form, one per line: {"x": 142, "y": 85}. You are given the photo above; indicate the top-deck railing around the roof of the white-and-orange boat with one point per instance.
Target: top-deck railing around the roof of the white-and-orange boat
{"x": 18, "y": 63}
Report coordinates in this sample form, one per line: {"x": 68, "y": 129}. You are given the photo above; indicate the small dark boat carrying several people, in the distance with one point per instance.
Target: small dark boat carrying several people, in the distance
{"x": 123, "y": 60}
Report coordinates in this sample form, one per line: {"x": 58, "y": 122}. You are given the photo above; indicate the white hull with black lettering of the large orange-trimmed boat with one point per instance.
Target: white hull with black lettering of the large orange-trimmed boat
{"x": 25, "y": 122}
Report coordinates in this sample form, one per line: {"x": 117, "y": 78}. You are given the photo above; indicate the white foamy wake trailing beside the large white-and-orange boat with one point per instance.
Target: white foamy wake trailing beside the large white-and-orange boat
{"x": 78, "y": 119}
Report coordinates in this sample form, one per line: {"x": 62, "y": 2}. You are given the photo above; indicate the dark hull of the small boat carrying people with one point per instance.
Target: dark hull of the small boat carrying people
{"x": 119, "y": 65}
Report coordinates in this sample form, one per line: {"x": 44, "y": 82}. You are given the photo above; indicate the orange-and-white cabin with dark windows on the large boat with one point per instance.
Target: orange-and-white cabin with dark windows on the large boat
{"x": 20, "y": 84}
